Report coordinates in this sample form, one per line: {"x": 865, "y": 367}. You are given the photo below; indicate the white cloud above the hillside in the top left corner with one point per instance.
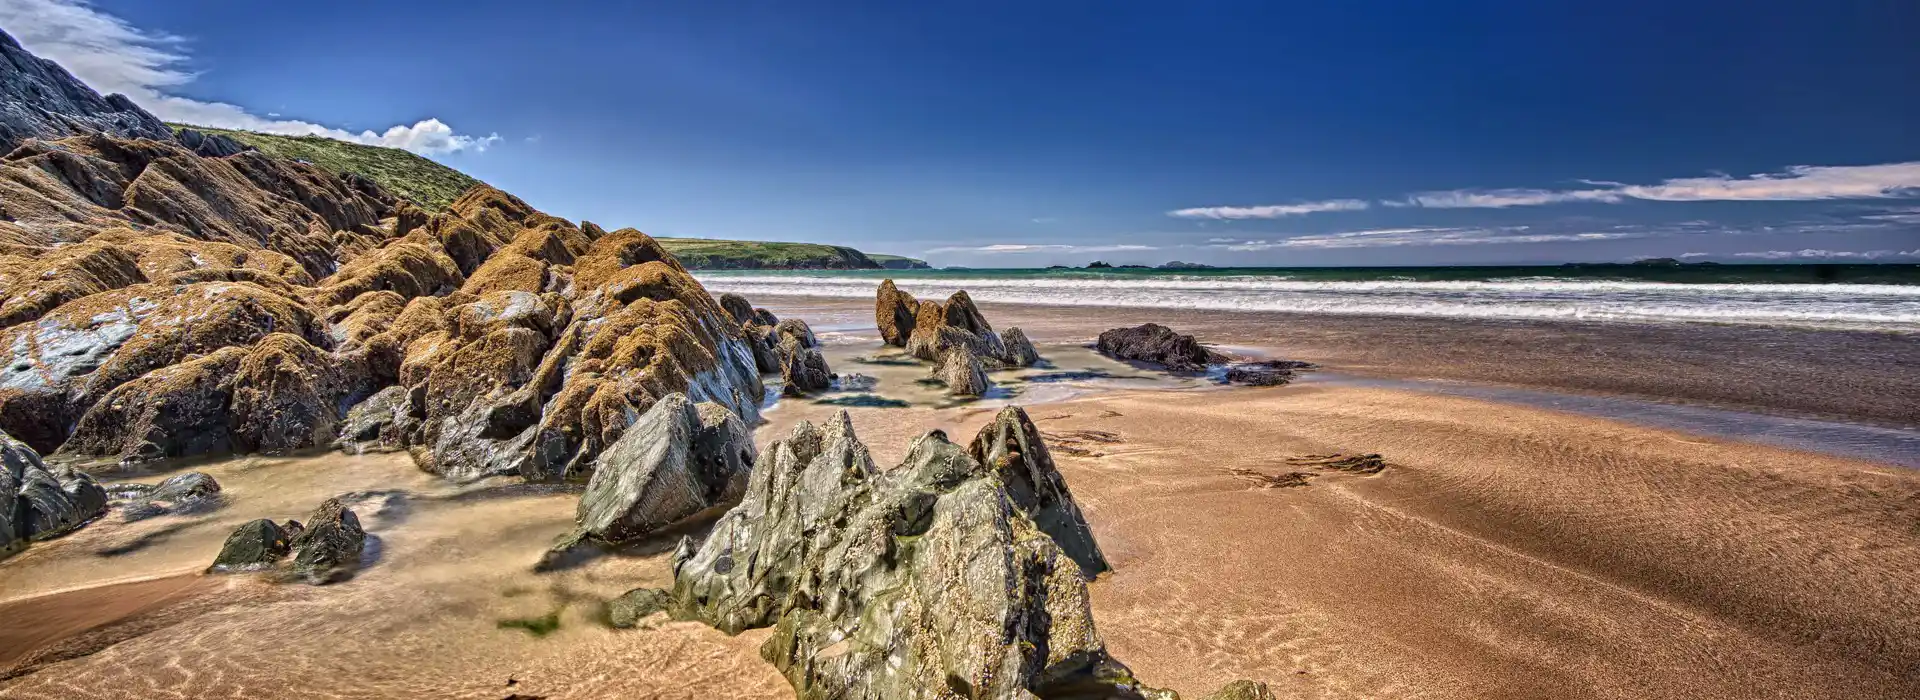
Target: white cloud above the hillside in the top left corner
{"x": 114, "y": 57}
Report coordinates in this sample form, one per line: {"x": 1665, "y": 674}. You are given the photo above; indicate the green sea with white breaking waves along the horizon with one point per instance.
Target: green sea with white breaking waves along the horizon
{"x": 1812, "y": 296}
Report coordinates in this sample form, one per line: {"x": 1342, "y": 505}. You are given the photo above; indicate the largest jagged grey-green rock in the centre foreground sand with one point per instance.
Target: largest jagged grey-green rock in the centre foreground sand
{"x": 921, "y": 582}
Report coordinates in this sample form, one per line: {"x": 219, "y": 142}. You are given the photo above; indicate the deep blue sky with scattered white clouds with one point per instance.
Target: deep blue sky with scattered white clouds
{"x": 1057, "y": 133}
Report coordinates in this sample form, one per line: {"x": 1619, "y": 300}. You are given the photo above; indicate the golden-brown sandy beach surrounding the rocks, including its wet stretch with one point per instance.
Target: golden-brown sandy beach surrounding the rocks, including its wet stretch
{"x": 1506, "y": 551}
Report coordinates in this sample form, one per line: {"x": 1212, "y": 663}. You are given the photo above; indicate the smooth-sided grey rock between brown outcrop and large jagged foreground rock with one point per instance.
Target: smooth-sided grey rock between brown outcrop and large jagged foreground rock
{"x": 675, "y": 463}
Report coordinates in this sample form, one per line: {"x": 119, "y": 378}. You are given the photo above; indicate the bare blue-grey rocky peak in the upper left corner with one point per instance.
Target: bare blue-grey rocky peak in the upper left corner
{"x": 43, "y": 101}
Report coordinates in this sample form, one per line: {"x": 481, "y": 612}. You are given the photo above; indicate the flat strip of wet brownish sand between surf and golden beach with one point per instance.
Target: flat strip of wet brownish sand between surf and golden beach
{"x": 1804, "y": 373}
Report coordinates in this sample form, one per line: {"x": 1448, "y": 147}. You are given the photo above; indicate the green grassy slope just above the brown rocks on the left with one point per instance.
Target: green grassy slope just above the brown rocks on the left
{"x": 429, "y": 185}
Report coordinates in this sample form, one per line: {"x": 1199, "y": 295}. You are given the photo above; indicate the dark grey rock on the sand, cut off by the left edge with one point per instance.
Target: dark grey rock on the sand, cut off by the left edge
{"x": 41, "y": 503}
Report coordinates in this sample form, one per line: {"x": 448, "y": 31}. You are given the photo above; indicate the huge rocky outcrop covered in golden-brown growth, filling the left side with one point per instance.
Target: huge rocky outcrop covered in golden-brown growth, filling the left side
{"x": 185, "y": 296}
